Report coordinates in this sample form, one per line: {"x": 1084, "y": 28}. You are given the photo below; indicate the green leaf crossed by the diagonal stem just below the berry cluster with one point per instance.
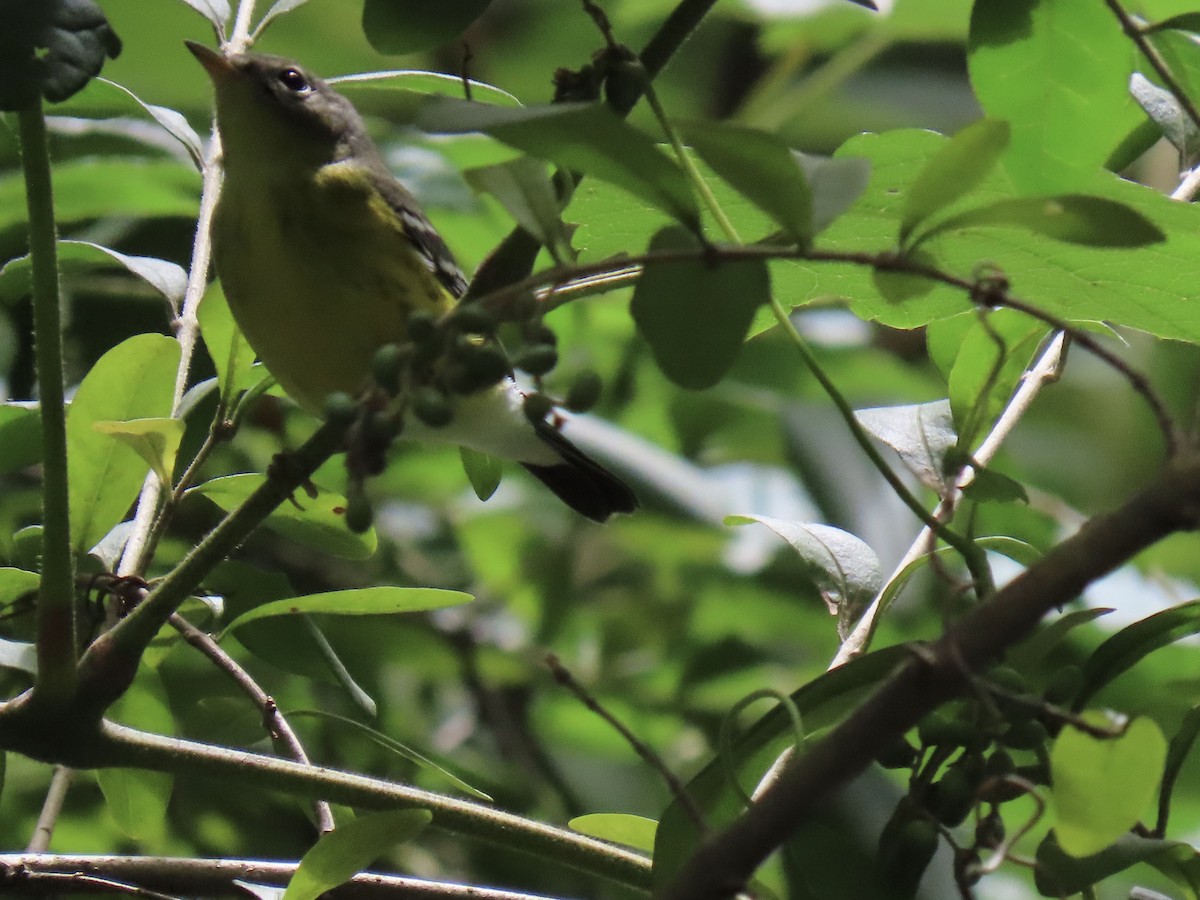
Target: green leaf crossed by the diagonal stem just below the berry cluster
{"x": 317, "y": 523}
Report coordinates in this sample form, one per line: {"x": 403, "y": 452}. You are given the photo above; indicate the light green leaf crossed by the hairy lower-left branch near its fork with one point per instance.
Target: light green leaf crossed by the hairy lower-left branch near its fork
{"x": 137, "y": 799}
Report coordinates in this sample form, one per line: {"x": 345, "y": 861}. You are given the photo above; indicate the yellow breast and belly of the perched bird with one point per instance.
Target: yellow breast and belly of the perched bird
{"x": 317, "y": 279}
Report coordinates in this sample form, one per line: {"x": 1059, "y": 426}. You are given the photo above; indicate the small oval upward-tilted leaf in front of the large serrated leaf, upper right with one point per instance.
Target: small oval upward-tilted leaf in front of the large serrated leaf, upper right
{"x": 956, "y": 171}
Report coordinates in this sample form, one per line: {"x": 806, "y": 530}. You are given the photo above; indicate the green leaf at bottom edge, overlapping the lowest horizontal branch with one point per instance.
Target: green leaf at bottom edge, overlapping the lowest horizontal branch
{"x": 340, "y": 855}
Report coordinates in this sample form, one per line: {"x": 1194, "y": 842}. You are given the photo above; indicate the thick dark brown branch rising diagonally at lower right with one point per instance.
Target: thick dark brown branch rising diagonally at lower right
{"x": 724, "y": 863}
